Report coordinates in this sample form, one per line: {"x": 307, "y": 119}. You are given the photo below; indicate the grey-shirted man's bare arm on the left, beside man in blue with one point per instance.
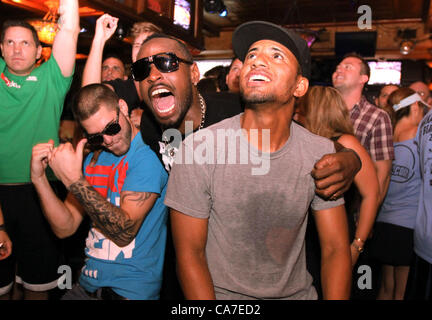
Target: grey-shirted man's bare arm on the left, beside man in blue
{"x": 190, "y": 238}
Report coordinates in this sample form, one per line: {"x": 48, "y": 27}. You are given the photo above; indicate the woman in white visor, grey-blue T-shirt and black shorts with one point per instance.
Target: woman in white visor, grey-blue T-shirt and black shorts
{"x": 392, "y": 244}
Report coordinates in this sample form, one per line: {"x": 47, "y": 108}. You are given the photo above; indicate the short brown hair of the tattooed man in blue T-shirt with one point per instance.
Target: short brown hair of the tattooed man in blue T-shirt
{"x": 89, "y": 99}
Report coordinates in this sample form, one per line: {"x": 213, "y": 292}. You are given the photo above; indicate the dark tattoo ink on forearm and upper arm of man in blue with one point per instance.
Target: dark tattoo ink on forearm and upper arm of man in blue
{"x": 111, "y": 220}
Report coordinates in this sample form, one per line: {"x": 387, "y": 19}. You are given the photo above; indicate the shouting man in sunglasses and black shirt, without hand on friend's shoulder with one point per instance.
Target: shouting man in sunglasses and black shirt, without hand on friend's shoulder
{"x": 167, "y": 78}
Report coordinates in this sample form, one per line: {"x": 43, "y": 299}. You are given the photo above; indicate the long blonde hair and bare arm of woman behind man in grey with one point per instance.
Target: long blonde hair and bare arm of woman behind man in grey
{"x": 324, "y": 112}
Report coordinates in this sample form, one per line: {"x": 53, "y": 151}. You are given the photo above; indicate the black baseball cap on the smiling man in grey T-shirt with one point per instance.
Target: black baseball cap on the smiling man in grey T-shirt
{"x": 248, "y": 33}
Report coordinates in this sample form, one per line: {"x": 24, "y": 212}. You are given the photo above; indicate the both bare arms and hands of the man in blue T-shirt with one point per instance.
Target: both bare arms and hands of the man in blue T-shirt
{"x": 119, "y": 224}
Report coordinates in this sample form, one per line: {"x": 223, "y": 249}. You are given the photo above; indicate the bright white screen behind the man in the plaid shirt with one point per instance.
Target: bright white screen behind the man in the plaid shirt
{"x": 385, "y": 72}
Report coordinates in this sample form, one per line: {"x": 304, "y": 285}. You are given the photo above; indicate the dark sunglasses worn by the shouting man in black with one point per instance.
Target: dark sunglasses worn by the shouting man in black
{"x": 164, "y": 62}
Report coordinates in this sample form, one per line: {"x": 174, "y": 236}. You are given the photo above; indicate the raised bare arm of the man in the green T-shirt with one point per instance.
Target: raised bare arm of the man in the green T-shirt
{"x": 65, "y": 42}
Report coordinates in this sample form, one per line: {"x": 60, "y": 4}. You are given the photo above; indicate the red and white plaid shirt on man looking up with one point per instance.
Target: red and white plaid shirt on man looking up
{"x": 372, "y": 127}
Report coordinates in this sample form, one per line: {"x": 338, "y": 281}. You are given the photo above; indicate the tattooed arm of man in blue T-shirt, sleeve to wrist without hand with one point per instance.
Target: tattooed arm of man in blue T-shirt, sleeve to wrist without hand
{"x": 119, "y": 224}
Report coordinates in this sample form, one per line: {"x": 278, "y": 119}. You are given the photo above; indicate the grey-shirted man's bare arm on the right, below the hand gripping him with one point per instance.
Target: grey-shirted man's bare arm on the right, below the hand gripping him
{"x": 332, "y": 228}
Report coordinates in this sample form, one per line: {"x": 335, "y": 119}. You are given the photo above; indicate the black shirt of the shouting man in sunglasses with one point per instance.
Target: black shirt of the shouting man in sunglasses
{"x": 219, "y": 106}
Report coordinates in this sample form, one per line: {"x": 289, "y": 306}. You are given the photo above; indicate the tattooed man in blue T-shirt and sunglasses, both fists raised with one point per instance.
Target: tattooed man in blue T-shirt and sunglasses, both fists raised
{"x": 122, "y": 190}
